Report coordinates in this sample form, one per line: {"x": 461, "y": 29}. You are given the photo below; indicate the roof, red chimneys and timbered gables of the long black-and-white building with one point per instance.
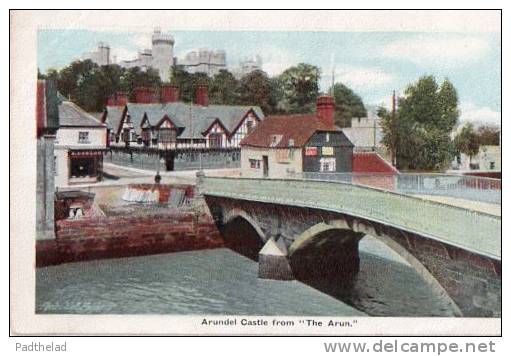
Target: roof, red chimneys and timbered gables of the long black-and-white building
{"x": 169, "y": 124}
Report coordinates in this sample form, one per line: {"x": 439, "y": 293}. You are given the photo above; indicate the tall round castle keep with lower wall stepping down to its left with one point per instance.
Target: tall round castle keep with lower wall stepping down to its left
{"x": 159, "y": 57}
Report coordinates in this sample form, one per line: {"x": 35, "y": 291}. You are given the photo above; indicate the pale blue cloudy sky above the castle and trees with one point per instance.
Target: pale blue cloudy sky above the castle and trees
{"x": 372, "y": 63}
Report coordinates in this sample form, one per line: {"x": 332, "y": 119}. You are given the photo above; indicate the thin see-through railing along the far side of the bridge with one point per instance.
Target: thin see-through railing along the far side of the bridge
{"x": 481, "y": 189}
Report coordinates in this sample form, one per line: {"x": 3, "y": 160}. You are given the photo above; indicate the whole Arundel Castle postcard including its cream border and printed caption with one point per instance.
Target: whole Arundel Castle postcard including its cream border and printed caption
{"x": 256, "y": 172}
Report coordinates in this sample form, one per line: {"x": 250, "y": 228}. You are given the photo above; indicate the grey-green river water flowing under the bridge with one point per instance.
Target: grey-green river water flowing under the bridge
{"x": 221, "y": 281}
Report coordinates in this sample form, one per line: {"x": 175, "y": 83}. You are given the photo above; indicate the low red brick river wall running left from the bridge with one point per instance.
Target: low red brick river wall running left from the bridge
{"x": 122, "y": 236}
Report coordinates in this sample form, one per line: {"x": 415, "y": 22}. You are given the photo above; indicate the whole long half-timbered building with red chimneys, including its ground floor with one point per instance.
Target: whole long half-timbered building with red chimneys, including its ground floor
{"x": 147, "y": 131}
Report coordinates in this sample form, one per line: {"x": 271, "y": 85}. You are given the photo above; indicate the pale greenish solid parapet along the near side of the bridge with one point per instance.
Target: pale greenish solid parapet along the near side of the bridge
{"x": 475, "y": 231}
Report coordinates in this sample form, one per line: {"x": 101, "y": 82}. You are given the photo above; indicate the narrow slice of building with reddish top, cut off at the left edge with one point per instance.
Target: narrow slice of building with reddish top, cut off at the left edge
{"x": 47, "y": 124}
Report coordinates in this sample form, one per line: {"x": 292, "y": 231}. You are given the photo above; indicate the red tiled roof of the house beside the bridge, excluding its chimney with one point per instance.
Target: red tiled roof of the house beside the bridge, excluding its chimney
{"x": 298, "y": 128}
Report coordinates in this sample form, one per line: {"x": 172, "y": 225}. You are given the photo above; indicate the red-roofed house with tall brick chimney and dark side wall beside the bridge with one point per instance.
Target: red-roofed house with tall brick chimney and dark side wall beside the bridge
{"x": 281, "y": 145}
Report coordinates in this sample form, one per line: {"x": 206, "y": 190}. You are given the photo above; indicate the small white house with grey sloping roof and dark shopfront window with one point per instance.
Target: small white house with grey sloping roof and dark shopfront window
{"x": 79, "y": 146}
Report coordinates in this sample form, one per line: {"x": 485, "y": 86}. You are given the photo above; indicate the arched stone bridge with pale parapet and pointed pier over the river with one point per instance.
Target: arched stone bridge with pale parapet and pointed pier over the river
{"x": 310, "y": 230}
